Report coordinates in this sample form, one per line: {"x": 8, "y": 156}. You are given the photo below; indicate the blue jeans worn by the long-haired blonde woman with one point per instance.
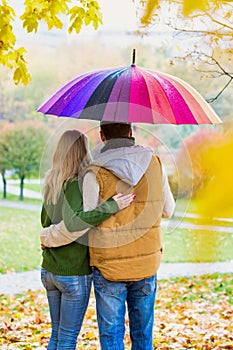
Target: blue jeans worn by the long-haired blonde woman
{"x": 68, "y": 298}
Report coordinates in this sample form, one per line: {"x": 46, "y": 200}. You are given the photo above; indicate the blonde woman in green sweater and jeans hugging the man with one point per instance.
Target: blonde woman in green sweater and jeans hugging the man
{"x": 66, "y": 273}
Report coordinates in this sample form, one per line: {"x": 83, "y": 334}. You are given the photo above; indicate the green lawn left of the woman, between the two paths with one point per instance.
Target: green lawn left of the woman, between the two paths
{"x": 19, "y": 240}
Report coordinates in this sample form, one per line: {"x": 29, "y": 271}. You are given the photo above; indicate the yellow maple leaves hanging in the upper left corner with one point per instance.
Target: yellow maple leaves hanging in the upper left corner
{"x": 52, "y": 12}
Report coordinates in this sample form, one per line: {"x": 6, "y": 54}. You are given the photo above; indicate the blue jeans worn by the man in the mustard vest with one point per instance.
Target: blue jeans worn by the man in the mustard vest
{"x": 111, "y": 300}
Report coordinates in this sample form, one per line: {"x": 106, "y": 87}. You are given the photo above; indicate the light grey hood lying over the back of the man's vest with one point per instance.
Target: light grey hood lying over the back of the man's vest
{"x": 127, "y": 163}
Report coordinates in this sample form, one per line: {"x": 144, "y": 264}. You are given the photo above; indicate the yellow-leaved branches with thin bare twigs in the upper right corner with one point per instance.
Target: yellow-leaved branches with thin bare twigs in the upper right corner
{"x": 210, "y": 23}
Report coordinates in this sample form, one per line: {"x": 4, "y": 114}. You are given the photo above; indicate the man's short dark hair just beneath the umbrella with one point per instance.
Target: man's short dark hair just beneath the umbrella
{"x": 115, "y": 130}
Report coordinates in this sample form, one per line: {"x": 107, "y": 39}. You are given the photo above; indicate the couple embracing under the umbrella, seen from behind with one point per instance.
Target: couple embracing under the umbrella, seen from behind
{"x": 101, "y": 222}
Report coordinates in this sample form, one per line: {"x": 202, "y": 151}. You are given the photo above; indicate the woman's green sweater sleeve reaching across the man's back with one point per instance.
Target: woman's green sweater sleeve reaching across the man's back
{"x": 75, "y": 219}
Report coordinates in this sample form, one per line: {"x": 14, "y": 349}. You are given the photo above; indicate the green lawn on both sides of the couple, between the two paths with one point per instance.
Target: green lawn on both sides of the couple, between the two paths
{"x": 20, "y": 245}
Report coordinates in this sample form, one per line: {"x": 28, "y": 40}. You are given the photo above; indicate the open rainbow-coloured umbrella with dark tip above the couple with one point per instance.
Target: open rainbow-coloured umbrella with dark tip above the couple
{"x": 130, "y": 94}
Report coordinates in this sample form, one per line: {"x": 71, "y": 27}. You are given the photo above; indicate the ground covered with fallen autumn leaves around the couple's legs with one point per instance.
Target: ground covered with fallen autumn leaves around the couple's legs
{"x": 190, "y": 313}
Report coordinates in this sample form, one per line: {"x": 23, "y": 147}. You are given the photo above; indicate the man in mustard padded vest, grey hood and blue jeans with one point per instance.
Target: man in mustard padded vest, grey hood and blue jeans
{"x": 125, "y": 250}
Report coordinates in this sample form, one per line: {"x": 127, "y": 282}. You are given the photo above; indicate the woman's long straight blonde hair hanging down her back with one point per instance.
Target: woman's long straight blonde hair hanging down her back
{"x": 69, "y": 159}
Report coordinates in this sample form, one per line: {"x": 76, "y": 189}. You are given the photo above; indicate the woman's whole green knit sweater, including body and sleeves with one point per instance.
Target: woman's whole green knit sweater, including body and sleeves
{"x": 72, "y": 259}
